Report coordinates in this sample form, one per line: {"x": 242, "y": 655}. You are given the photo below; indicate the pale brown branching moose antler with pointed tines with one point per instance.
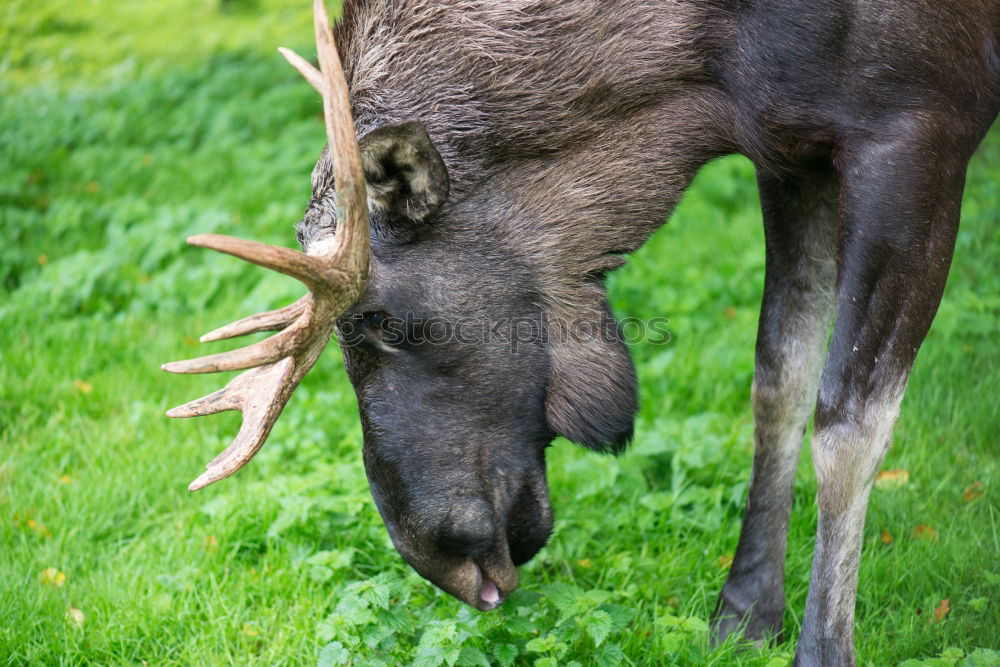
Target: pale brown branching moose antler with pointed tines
{"x": 335, "y": 280}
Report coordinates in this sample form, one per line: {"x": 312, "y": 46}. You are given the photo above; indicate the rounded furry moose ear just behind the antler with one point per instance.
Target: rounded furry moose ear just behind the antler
{"x": 407, "y": 179}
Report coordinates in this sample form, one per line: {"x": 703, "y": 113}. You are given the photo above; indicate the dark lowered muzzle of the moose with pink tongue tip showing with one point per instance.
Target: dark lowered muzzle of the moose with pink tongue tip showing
{"x": 467, "y": 529}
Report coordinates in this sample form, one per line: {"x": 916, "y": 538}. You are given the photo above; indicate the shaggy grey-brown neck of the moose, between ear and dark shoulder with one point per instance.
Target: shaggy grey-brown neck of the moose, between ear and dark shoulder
{"x": 565, "y": 127}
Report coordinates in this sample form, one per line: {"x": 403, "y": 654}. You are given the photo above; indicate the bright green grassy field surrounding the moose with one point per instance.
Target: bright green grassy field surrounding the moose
{"x": 125, "y": 127}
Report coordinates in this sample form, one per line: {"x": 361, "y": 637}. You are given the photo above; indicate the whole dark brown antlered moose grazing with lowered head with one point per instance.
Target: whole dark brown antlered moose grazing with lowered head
{"x": 494, "y": 161}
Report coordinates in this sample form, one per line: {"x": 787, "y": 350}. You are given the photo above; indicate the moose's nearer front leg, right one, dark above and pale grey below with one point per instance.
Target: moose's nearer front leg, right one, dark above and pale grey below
{"x": 900, "y": 216}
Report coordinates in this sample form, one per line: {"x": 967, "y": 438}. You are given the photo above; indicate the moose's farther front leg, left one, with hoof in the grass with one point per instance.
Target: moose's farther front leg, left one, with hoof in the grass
{"x": 800, "y": 224}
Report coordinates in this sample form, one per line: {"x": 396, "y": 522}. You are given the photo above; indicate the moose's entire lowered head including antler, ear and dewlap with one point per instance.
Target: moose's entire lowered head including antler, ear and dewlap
{"x": 464, "y": 367}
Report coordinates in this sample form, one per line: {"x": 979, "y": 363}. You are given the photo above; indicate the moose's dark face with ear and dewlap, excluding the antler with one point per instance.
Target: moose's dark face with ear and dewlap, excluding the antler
{"x": 461, "y": 376}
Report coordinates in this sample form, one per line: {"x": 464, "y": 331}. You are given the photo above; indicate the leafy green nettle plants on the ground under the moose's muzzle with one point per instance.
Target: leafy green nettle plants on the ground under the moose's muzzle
{"x": 560, "y": 624}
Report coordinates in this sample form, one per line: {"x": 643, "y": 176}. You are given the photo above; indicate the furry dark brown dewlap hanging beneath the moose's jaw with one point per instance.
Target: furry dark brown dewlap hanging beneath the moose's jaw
{"x": 592, "y": 394}
